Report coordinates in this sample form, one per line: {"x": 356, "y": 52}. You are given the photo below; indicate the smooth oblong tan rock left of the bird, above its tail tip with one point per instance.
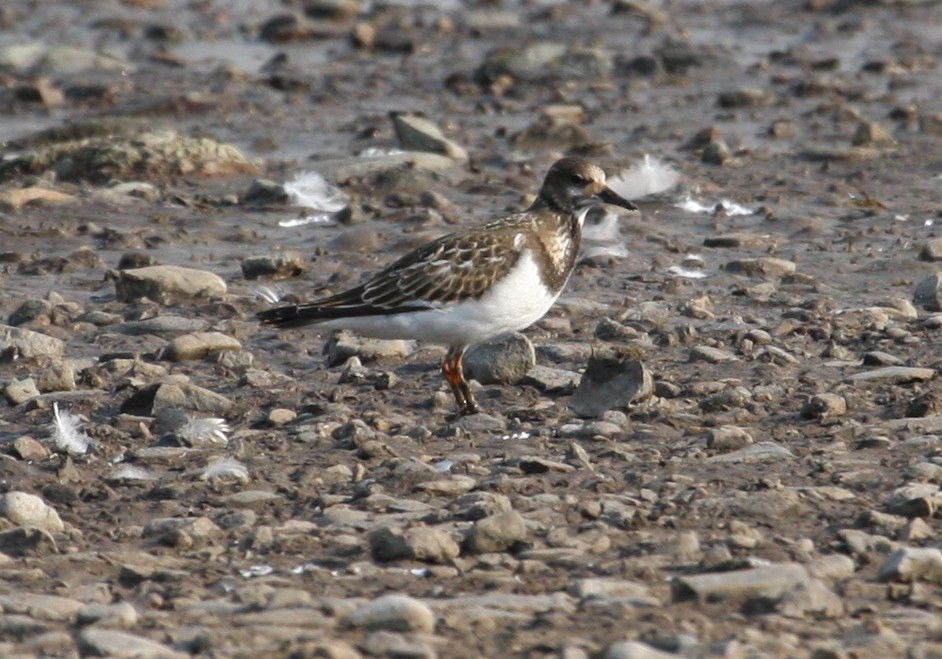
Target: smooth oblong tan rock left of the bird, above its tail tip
{"x": 166, "y": 283}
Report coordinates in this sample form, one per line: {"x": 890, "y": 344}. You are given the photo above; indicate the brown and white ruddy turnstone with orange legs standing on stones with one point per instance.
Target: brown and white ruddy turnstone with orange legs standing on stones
{"x": 472, "y": 285}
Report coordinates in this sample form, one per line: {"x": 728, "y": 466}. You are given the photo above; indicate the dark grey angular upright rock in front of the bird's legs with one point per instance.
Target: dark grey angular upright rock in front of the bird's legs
{"x": 613, "y": 379}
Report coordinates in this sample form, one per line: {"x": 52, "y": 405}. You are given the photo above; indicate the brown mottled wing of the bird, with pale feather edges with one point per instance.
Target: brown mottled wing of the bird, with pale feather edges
{"x": 456, "y": 267}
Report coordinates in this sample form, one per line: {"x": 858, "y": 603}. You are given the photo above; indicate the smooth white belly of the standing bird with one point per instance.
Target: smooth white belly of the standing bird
{"x": 513, "y": 303}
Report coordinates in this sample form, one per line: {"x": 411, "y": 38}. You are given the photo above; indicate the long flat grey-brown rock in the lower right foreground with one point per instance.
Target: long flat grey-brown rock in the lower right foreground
{"x": 769, "y": 582}
